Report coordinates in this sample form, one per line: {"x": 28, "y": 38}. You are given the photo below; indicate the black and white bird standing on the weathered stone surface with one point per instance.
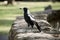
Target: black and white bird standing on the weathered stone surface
{"x": 29, "y": 19}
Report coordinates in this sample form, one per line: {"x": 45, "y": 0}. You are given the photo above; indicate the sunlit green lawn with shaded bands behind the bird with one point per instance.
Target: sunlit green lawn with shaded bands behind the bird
{"x": 8, "y": 13}
